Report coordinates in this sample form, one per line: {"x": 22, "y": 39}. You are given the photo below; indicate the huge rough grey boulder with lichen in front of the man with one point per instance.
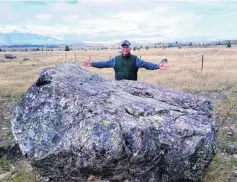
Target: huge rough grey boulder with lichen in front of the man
{"x": 72, "y": 124}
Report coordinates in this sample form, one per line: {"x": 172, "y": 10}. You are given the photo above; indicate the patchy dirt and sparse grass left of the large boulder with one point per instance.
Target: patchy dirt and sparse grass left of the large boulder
{"x": 13, "y": 166}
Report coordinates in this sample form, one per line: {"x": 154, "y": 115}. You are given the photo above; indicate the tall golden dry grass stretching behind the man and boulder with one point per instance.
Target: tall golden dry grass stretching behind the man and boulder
{"x": 184, "y": 73}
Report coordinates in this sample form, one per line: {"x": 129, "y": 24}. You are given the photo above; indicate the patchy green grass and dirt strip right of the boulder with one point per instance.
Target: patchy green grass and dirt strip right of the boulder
{"x": 223, "y": 165}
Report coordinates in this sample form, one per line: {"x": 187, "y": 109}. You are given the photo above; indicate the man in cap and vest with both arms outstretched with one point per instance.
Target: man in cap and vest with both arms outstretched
{"x": 126, "y": 65}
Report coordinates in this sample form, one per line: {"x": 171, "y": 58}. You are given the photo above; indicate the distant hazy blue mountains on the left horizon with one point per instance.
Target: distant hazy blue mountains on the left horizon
{"x": 29, "y": 38}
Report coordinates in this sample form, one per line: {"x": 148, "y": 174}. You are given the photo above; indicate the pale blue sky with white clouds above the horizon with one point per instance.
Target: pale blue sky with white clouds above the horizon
{"x": 115, "y": 20}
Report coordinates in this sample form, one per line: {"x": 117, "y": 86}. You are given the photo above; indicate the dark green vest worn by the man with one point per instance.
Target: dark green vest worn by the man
{"x": 125, "y": 67}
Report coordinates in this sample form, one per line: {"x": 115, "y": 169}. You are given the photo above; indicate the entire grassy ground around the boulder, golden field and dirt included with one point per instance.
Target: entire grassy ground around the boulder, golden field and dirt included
{"x": 217, "y": 81}
